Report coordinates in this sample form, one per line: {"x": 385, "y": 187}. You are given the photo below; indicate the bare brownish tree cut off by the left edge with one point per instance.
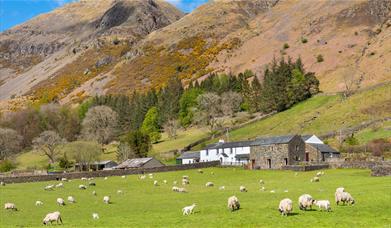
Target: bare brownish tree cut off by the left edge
{"x": 10, "y": 142}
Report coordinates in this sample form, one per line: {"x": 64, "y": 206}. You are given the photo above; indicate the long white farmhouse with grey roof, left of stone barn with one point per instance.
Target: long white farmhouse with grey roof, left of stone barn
{"x": 232, "y": 153}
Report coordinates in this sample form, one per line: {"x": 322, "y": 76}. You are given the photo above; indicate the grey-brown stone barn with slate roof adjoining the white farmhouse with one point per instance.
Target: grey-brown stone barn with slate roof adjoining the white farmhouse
{"x": 275, "y": 152}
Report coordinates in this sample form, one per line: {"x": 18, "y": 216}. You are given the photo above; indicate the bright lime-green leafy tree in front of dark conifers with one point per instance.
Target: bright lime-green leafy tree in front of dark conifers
{"x": 151, "y": 124}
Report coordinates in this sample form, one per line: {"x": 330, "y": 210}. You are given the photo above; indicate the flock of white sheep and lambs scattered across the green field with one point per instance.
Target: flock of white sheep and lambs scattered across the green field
{"x": 285, "y": 206}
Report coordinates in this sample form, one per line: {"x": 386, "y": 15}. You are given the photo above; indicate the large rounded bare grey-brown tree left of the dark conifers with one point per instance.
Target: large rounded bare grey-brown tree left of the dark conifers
{"x": 99, "y": 124}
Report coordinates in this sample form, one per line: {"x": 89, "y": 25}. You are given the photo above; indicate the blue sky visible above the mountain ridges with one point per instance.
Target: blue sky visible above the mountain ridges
{"x": 13, "y": 12}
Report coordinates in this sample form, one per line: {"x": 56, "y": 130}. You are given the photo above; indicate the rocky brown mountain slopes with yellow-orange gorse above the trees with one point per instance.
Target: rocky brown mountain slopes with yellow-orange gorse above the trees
{"x": 98, "y": 47}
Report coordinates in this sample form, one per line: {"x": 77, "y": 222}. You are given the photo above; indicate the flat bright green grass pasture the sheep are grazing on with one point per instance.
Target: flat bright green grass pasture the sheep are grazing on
{"x": 145, "y": 205}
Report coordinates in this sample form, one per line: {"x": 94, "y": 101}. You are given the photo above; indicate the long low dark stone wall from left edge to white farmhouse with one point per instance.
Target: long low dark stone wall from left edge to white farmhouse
{"x": 105, "y": 173}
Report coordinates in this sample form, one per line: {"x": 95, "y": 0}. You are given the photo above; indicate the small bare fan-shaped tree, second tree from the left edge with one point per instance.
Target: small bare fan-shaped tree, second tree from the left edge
{"x": 48, "y": 142}
